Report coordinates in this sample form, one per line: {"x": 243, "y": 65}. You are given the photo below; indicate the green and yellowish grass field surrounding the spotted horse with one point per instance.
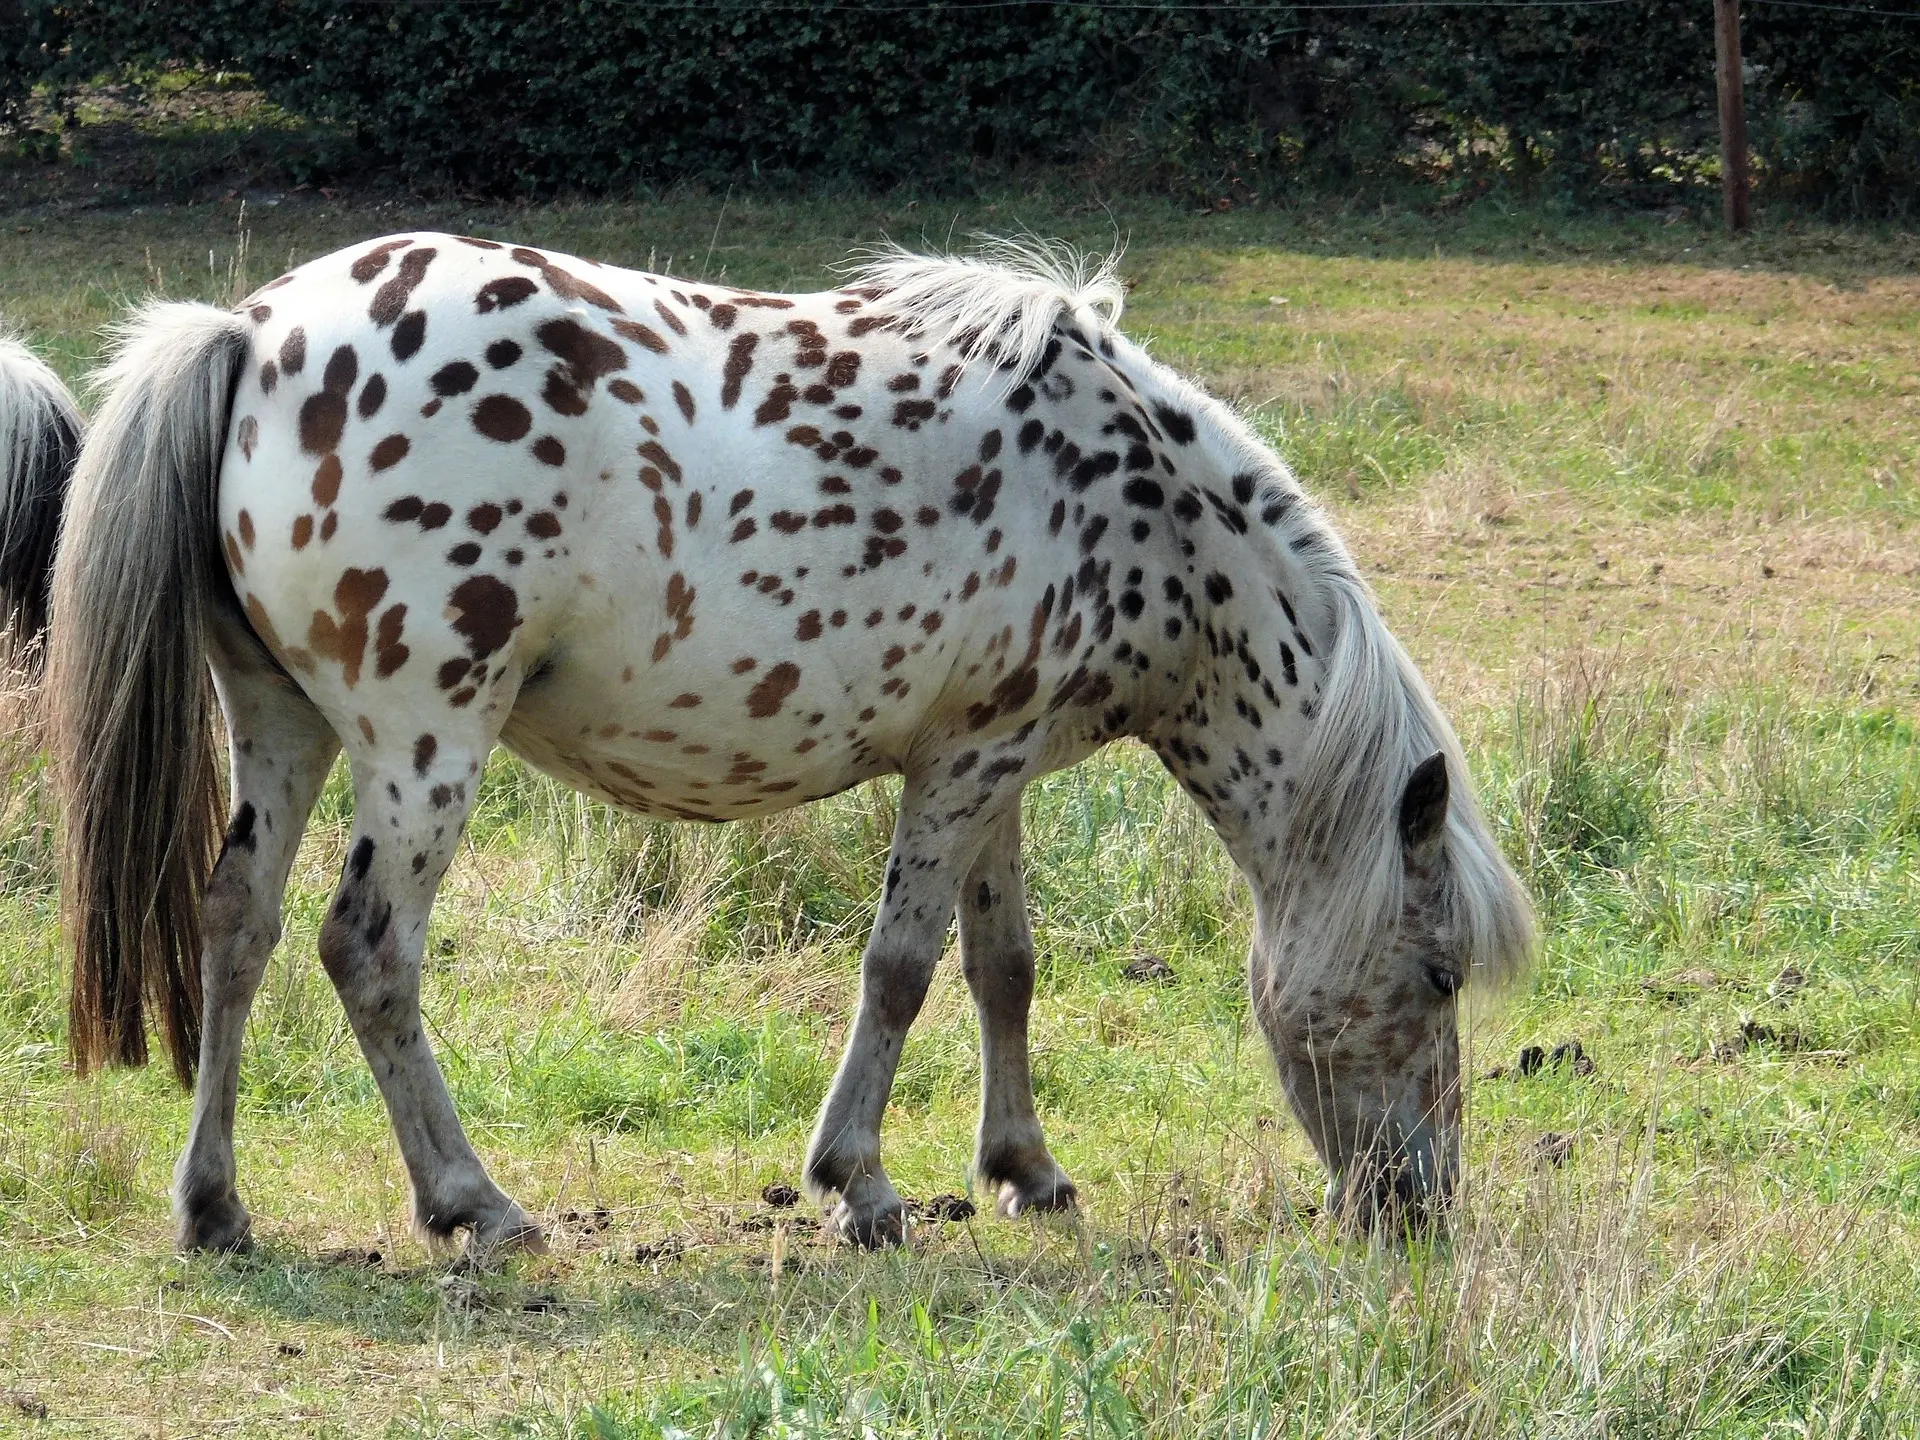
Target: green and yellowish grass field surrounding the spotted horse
{"x": 1644, "y": 506}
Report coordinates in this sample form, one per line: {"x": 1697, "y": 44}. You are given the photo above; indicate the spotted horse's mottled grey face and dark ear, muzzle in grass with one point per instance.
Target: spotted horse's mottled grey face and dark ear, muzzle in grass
{"x": 1370, "y": 1051}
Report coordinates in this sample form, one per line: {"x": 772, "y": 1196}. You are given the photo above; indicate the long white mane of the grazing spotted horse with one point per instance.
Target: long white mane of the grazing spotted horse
{"x": 1337, "y": 880}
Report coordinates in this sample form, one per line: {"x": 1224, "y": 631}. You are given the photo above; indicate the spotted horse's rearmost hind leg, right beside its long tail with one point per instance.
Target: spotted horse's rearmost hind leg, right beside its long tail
{"x": 281, "y": 750}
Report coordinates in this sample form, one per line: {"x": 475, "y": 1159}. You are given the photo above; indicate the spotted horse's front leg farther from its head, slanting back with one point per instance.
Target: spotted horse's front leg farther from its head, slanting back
{"x": 934, "y": 844}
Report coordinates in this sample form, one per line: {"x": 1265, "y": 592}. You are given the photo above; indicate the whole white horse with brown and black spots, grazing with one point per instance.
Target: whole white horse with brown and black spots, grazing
{"x": 709, "y": 554}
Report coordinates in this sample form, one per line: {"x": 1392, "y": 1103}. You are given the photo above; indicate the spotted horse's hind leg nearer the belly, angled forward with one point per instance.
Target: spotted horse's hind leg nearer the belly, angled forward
{"x": 410, "y": 804}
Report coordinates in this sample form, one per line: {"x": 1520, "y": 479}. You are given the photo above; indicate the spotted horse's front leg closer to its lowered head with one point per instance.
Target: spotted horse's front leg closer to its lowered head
{"x": 997, "y": 955}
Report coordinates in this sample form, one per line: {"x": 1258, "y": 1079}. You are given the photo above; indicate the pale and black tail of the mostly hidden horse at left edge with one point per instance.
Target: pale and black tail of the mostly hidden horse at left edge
{"x": 39, "y": 444}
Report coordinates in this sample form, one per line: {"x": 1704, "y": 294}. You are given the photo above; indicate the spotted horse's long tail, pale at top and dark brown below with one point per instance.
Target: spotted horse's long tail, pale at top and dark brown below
{"x": 137, "y": 585}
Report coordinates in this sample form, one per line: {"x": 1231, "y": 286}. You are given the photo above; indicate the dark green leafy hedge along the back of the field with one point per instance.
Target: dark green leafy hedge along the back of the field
{"x": 510, "y": 99}
